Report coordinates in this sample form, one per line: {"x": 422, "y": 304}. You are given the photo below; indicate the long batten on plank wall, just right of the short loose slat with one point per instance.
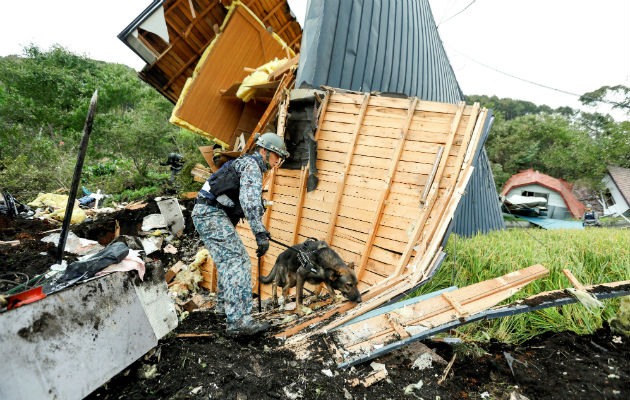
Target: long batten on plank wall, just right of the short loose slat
{"x": 433, "y": 194}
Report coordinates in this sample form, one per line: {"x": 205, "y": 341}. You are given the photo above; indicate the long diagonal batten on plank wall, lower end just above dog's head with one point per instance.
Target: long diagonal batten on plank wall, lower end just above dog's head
{"x": 378, "y": 212}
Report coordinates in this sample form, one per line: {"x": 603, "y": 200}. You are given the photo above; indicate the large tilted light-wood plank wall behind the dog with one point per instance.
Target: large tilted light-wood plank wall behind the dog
{"x": 375, "y": 156}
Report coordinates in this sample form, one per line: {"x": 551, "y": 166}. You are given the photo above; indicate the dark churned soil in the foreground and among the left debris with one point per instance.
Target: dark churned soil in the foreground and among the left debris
{"x": 212, "y": 365}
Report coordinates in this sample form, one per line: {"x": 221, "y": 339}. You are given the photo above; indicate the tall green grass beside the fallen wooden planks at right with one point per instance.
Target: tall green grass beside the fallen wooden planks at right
{"x": 594, "y": 256}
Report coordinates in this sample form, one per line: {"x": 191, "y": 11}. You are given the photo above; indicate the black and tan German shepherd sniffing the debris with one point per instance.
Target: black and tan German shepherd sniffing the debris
{"x": 325, "y": 267}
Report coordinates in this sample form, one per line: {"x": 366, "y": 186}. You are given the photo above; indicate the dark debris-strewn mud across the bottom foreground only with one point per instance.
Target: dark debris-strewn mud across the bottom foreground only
{"x": 551, "y": 366}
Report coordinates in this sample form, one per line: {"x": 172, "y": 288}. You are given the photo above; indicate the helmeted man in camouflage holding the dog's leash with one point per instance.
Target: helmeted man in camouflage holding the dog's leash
{"x": 231, "y": 193}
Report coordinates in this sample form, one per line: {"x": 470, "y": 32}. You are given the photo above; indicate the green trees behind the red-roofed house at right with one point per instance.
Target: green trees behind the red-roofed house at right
{"x": 563, "y": 143}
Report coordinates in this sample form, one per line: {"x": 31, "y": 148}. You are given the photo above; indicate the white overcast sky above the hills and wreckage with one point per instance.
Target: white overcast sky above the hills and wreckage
{"x": 570, "y": 45}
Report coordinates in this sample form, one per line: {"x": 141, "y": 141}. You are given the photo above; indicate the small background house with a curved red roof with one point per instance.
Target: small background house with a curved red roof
{"x": 561, "y": 203}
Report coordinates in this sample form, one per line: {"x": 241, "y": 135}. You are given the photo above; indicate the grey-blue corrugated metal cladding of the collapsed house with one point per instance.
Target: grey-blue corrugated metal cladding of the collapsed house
{"x": 393, "y": 46}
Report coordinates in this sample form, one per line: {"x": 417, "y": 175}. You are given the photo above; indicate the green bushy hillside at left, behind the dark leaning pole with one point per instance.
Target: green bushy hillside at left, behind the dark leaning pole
{"x": 44, "y": 97}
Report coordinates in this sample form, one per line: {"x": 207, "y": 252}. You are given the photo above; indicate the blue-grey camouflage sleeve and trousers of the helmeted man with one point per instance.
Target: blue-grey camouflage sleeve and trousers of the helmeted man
{"x": 225, "y": 246}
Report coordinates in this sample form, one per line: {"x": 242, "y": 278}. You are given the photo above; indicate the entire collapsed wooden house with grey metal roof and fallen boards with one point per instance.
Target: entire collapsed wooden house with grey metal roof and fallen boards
{"x": 396, "y": 154}
